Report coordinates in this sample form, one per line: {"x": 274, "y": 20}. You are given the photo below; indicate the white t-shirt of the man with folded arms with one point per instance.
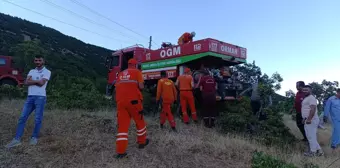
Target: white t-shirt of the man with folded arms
{"x": 36, "y": 74}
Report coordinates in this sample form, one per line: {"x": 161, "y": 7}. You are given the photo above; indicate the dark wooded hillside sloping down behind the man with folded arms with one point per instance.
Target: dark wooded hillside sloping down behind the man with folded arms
{"x": 65, "y": 55}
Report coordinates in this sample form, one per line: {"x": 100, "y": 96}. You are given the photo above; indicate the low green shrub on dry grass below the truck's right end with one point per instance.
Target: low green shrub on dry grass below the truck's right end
{"x": 236, "y": 116}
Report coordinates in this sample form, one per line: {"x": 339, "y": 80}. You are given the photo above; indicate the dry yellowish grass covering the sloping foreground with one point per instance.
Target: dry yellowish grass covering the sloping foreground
{"x": 85, "y": 139}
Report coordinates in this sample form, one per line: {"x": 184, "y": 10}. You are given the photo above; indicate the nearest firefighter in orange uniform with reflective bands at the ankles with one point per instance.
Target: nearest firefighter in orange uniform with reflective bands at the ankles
{"x": 129, "y": 105}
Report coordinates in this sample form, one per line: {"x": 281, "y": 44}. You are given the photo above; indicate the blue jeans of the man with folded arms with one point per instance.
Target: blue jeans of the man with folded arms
{"x": 36, "y": 103}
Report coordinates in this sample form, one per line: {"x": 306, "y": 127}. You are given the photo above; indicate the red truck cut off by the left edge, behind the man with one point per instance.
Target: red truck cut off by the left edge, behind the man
{"x": 8, "y": 74}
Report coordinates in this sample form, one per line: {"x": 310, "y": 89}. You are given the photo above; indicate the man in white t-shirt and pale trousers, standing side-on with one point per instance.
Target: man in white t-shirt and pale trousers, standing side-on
{"x": 311, "y": 120}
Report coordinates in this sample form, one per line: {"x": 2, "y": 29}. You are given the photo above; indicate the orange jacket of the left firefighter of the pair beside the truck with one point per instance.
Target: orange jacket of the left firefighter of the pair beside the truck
{"x": 166, "y": 90}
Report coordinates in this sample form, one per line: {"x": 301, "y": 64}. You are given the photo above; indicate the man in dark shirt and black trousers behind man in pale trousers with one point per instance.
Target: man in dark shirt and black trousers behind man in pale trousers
{"x": 297, "y": 106}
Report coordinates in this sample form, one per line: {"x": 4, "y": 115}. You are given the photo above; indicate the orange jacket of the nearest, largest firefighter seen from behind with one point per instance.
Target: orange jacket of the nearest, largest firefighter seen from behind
{"x": 127, "y": 85}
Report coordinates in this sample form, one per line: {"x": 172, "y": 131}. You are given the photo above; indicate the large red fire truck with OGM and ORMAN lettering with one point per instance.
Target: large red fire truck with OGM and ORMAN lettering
{"x": 213, "y": 54}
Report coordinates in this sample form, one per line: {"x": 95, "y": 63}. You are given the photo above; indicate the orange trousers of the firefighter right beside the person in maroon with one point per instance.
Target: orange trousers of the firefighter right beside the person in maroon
{"x": 187, "y": 97}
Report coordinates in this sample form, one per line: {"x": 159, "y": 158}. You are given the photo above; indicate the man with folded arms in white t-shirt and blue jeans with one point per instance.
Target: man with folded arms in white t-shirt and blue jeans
{"x": 36, "y": 81}
